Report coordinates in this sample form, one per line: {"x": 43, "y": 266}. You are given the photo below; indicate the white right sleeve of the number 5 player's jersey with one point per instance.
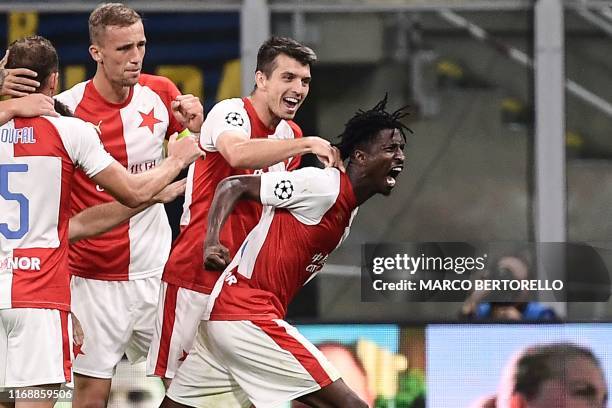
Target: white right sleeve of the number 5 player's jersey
{"x": 84, "y": 146}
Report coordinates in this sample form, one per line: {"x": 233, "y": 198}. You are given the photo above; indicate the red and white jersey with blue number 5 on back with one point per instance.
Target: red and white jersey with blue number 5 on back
{"x": 38, "y": 157}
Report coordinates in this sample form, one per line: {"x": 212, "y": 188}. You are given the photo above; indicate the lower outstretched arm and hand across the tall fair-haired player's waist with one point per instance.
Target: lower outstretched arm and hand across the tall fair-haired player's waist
{"x": 101, "y": 218}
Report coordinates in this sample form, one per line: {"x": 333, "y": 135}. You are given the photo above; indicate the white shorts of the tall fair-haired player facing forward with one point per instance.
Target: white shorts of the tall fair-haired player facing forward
{"x": 117, "y": 317}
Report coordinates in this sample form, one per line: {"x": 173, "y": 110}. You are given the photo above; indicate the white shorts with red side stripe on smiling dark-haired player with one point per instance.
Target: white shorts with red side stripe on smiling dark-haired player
{"x": 178, "y": 315}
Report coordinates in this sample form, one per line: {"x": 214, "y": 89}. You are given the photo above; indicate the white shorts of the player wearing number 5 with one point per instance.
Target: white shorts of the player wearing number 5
{"x": 35, "y": 347}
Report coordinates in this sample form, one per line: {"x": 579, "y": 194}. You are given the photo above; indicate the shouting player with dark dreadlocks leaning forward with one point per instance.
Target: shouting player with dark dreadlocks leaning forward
{"x": 246, "y": 350}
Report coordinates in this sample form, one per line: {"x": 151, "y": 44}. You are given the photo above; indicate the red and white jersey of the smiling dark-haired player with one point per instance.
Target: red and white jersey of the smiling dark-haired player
{"x": 185, "y": 265}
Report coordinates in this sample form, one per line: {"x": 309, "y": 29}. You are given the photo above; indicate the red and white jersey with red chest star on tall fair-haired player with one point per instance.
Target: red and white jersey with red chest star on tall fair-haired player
{"x": 133, "y": 132}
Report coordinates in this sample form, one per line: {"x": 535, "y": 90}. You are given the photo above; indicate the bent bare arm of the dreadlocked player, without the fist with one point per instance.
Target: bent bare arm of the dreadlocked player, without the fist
{"x": 229, "y": 191}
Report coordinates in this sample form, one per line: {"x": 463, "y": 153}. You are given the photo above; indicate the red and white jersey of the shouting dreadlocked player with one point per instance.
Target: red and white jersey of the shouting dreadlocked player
{"x": 307, "y": 214}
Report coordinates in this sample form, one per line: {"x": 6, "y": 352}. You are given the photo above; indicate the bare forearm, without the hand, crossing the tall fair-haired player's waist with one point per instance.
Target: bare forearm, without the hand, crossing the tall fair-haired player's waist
{"x": 99, "y": 219}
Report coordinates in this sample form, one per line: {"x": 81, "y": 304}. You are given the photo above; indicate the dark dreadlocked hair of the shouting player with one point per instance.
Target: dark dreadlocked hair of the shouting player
{"x": 365, "y": 125}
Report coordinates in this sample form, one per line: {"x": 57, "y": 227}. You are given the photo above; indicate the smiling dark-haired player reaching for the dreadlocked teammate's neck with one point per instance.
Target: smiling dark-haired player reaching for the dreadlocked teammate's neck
{"x": 241, "y": 136}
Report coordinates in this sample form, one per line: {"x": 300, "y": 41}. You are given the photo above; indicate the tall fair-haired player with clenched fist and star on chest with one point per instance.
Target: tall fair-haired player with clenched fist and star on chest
{"x": 116, "y": 277}
